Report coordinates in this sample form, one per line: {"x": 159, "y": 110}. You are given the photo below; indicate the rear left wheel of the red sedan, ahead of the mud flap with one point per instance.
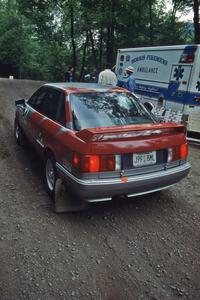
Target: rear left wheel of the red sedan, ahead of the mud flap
{"x": 50, "y": 174}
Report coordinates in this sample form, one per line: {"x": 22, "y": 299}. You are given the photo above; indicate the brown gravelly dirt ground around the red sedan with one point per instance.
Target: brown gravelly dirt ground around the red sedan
{"x": 146, "y": 247}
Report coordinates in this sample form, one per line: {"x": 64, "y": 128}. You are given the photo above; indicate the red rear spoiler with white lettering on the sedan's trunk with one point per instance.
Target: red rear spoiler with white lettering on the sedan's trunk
{"x": 103, "y": 134}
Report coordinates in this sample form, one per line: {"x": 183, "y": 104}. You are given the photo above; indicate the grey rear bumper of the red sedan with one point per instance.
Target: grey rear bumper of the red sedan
{"x": 94, "y": 190}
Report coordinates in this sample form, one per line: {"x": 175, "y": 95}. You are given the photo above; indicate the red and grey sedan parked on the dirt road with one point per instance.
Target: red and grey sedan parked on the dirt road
{"x": 101, "y": 141}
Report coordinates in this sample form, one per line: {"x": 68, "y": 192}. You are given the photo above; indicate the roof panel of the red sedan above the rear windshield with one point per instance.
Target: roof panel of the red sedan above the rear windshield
{"x": 77, "y": 86}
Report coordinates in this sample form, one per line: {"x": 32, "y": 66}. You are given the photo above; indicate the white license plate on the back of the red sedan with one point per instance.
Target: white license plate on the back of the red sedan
{"x": 144, "y": 159}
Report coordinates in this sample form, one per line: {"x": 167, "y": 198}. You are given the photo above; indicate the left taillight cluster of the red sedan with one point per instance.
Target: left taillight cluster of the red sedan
{"x": 96, "y": 163}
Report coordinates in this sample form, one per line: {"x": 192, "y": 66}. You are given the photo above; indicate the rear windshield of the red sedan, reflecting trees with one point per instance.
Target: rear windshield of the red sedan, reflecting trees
{"x": 90, "y": 110}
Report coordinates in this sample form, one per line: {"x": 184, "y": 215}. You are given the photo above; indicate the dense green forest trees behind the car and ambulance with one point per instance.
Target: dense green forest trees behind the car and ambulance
{"x": 42, "y": 38}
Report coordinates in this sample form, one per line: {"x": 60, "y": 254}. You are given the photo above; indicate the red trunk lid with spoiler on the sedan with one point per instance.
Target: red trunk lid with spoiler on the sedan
{"x": 134, "y": 138}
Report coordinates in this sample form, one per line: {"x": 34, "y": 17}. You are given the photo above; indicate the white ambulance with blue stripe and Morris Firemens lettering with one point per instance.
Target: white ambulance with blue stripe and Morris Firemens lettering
{"x": 168, "y": 76}
